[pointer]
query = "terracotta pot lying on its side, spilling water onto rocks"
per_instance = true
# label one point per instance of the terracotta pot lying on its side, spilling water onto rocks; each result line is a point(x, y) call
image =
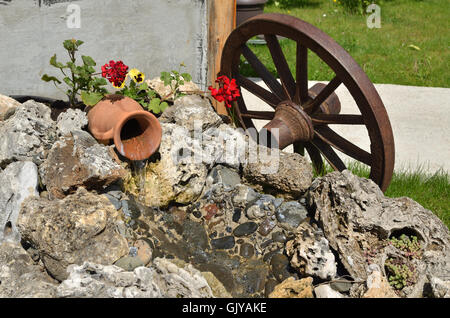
point(135, 132)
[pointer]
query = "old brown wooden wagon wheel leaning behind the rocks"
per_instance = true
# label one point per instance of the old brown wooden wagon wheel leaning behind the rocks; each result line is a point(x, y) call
point(303, 114)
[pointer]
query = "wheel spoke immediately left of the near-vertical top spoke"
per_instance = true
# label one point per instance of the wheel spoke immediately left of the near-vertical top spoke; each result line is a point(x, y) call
point(287, 80)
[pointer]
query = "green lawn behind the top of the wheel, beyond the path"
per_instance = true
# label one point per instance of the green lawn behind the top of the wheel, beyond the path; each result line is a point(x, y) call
point(385, 54)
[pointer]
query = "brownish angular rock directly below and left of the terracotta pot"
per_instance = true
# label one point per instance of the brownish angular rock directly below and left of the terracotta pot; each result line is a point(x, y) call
point(78, 160)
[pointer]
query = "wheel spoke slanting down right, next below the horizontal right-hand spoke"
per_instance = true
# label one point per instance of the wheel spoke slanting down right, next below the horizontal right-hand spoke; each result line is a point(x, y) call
point(332, 138)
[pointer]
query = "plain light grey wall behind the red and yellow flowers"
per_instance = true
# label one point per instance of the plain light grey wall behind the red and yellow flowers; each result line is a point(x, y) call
point(153, 36)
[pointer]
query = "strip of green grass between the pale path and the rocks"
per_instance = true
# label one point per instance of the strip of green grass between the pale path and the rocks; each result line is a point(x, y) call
point(432, 191)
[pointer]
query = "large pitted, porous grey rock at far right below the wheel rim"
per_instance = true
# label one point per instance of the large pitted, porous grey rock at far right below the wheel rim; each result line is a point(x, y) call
point(358, 221)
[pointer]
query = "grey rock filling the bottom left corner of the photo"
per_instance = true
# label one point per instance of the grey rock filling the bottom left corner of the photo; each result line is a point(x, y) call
point(20, 277)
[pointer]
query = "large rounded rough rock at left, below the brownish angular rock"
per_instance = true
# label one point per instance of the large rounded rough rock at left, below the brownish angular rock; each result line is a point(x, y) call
point(81, 227)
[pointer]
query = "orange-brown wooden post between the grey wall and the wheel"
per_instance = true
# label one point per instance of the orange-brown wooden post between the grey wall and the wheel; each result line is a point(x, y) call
point(222, 20)
